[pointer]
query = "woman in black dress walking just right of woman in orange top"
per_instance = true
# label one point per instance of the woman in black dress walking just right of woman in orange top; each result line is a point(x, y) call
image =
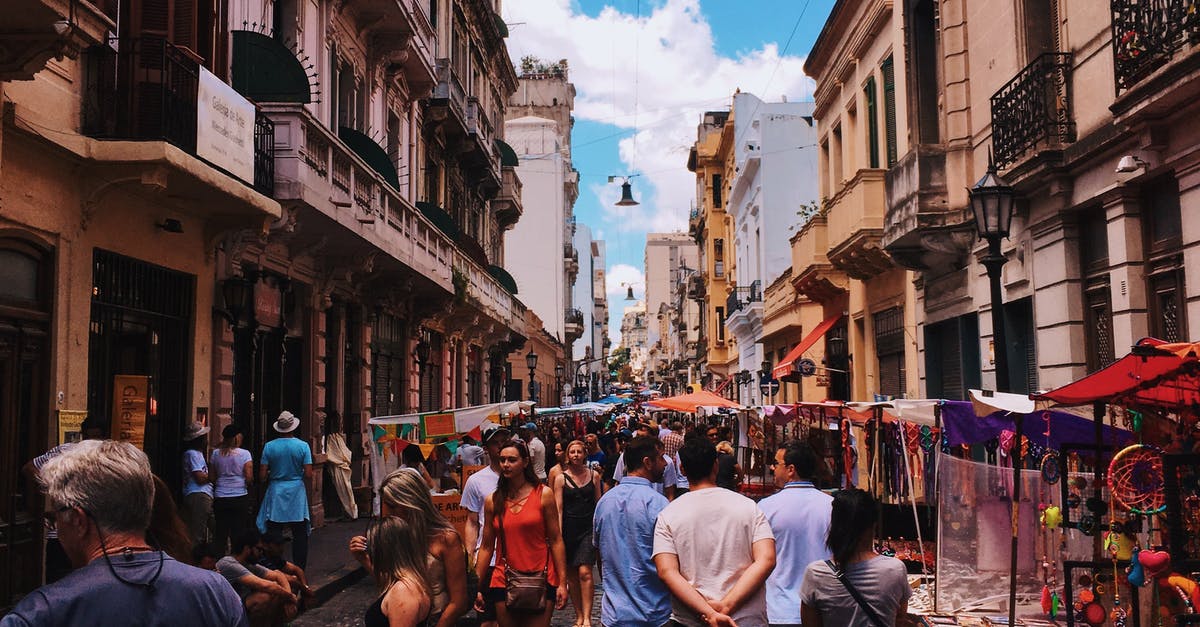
point(577, 492)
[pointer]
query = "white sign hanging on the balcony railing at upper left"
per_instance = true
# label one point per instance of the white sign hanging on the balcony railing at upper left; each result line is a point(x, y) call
point(225, 128)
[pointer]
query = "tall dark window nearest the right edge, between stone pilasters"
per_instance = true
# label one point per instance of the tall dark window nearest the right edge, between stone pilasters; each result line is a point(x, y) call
point(1165, 260)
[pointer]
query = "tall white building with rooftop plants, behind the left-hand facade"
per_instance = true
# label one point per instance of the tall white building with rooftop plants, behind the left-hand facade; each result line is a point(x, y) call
point(539, 129)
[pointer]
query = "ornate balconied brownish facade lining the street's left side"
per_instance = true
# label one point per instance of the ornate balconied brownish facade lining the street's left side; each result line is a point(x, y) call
point(203, 224)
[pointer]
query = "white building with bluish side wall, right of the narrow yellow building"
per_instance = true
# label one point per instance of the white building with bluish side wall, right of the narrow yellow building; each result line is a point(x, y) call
point(776, 175)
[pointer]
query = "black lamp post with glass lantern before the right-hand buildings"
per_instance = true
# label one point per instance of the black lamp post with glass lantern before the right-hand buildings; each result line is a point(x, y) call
point(992, 201)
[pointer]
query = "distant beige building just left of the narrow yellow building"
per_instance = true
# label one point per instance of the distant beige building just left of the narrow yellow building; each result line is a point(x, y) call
point(671, 259)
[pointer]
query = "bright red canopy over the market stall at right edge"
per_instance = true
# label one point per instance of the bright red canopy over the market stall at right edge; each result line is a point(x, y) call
point(1154, 374)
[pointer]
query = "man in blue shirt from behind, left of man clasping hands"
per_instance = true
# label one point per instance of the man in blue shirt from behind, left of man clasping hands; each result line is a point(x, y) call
point(634, 596)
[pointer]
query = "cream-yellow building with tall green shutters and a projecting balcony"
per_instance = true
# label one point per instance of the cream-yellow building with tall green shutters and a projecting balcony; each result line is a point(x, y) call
point(838, 260)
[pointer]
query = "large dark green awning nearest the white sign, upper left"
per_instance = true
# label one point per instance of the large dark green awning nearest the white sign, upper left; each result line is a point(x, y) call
point(265, 70)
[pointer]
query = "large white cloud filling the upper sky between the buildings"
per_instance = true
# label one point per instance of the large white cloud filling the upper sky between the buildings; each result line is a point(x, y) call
point(657, 74)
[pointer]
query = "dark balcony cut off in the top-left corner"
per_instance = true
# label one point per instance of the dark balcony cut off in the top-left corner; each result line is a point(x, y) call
point(35, 32)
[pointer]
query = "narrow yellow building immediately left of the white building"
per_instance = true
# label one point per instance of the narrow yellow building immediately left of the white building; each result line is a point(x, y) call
point(710, 159)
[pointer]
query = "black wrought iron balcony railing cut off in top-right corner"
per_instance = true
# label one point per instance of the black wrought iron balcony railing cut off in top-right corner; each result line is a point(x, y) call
point(1147, 34)
